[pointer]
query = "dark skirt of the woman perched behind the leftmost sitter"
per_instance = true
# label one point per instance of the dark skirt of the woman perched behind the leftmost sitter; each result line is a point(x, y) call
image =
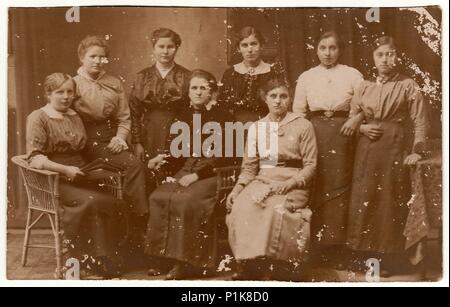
point(99, 136)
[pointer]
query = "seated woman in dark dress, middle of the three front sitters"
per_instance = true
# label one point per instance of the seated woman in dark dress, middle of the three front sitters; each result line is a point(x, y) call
point(180, 231)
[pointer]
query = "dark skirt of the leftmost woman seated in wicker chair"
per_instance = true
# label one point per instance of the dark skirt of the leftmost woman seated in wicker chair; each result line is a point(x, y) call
point(92, 221)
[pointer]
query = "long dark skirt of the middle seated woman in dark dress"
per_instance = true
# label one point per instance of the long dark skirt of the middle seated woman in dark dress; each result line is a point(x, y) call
point(181, 224)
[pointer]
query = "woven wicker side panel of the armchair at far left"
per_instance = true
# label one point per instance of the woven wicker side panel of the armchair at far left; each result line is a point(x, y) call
point(42, 186)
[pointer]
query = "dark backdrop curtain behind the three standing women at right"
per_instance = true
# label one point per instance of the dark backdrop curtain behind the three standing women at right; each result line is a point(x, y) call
point(292, 35)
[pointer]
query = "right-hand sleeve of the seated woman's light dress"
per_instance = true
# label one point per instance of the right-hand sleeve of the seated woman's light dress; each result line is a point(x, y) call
point(308, 151)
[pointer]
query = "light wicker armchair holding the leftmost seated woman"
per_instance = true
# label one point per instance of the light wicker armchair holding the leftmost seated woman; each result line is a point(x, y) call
point(42, 188)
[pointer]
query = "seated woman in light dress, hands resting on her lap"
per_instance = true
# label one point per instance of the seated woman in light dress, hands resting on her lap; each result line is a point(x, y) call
point(269, 216)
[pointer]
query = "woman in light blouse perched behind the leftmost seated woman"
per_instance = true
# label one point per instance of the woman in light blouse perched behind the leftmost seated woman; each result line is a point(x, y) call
point(103, 106)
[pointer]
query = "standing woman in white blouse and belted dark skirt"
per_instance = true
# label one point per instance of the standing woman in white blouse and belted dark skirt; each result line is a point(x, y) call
point(323, 94)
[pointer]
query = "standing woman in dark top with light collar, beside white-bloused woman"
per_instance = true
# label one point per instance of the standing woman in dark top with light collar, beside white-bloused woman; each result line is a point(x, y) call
point(238, 94)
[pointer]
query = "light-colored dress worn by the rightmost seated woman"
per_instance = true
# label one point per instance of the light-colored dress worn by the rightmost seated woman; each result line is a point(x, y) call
point(258, 224)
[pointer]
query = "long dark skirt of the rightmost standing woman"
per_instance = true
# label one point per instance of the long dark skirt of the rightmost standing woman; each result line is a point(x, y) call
point(380, 192)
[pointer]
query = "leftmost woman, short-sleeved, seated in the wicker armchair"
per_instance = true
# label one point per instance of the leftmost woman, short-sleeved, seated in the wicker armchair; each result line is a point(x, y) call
point(55, 137)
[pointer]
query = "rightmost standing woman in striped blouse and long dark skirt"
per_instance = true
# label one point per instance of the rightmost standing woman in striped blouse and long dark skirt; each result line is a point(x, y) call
point(381, 184)
